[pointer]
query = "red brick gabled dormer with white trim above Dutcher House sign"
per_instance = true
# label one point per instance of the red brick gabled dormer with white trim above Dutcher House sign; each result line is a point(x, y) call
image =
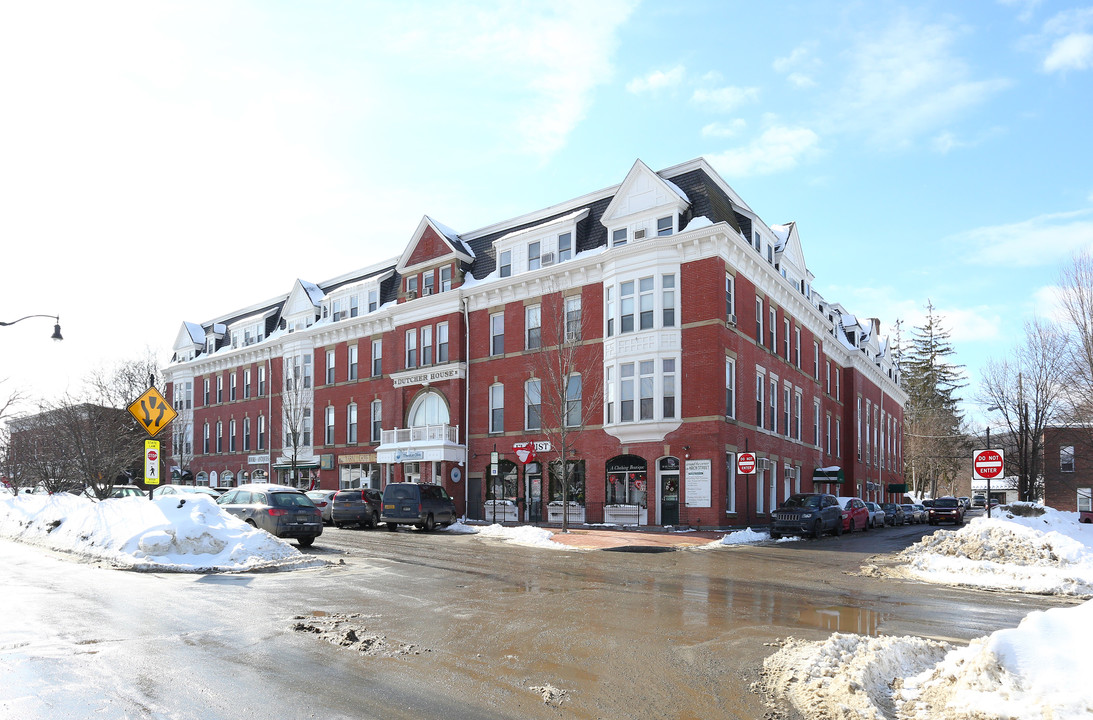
point(433, 261)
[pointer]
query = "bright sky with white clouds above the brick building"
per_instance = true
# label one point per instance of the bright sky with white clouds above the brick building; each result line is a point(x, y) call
point(173, 161)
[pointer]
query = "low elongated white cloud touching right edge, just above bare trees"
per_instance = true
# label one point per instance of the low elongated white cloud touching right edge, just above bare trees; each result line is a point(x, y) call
point(1041, 241)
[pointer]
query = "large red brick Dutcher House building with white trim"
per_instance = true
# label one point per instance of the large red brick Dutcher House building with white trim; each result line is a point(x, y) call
point(650, 332)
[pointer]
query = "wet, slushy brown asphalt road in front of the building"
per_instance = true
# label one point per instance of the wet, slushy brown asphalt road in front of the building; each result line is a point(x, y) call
point(460, 628)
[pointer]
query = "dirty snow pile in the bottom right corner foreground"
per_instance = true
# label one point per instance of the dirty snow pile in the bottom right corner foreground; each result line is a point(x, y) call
point(1038, 670)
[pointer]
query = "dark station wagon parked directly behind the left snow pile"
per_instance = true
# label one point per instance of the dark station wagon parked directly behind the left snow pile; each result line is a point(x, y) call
point(278, 510)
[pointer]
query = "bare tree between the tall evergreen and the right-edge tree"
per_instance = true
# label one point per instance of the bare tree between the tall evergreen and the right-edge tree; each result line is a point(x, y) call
point(1027, 394)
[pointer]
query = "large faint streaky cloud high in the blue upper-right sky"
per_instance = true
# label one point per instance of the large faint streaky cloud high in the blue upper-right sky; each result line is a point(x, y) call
point(907, 81)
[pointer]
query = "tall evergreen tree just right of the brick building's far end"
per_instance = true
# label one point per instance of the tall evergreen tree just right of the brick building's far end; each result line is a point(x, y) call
point(934, 442)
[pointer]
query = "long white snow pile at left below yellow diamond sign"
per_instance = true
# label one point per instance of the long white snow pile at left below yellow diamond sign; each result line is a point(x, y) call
point(164, 535)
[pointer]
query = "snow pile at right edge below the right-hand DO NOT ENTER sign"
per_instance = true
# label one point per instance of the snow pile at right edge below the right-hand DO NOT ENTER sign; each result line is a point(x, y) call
point(1025, 548)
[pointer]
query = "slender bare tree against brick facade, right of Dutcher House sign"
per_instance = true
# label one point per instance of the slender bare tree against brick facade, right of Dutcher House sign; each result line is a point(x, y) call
point(566, 387)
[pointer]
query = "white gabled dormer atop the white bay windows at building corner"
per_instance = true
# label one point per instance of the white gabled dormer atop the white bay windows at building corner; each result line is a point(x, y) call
point(645, 206)
